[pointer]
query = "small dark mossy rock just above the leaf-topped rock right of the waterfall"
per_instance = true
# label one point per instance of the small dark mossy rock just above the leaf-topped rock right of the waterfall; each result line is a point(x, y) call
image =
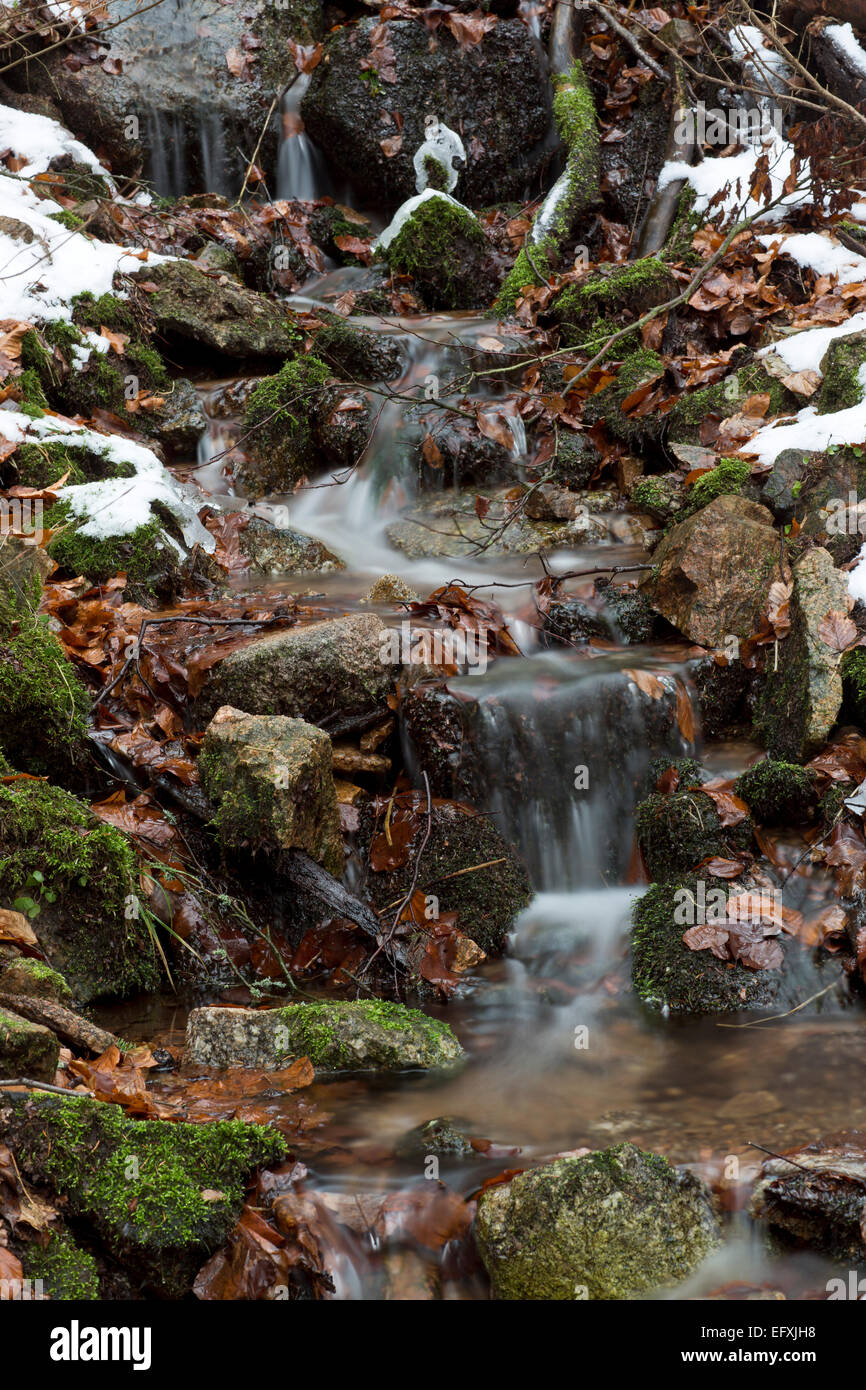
point(676, 833)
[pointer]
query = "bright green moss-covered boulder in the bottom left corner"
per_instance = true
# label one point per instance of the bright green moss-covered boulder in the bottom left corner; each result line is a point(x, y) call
point(161, 1197)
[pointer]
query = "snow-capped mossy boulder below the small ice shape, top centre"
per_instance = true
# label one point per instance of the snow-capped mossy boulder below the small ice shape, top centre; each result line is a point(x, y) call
point(443, 247)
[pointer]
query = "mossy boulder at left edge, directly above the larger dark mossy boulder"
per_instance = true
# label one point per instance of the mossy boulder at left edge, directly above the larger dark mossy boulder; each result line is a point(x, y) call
point(44, 707)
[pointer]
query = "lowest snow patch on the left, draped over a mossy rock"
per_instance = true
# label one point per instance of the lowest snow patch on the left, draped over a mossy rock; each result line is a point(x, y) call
point(115, 507)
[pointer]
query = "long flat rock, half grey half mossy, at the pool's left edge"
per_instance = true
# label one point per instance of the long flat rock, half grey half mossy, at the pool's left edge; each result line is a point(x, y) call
point(368, 1036)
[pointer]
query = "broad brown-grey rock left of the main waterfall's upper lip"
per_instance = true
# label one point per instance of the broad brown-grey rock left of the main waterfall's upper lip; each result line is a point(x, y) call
point(323, 673)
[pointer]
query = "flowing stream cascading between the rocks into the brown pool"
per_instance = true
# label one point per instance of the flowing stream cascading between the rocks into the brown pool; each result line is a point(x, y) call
point(561, 1053)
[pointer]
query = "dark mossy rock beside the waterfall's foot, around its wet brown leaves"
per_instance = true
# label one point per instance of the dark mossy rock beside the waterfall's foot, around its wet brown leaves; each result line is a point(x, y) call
point(669, 978)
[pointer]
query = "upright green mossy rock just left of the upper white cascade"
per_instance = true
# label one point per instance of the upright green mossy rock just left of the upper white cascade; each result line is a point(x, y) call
point(280, 426)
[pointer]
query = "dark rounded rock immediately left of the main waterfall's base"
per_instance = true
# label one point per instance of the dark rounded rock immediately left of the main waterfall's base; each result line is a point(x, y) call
point(487, 900)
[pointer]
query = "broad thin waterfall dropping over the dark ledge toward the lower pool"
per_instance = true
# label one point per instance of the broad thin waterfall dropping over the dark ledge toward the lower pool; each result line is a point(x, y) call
point(559, 747)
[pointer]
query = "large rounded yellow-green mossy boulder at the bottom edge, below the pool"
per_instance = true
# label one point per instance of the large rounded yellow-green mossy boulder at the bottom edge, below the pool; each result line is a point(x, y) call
point(615, 1224)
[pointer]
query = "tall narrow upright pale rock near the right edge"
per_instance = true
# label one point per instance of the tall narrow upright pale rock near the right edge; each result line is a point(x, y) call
point(801, 700)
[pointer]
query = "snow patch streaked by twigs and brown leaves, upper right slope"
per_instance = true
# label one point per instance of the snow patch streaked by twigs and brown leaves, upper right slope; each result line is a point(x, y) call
point(737, 174)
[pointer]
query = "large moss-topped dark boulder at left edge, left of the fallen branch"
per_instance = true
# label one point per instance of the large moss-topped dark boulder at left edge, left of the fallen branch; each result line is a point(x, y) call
point(80, 878)
